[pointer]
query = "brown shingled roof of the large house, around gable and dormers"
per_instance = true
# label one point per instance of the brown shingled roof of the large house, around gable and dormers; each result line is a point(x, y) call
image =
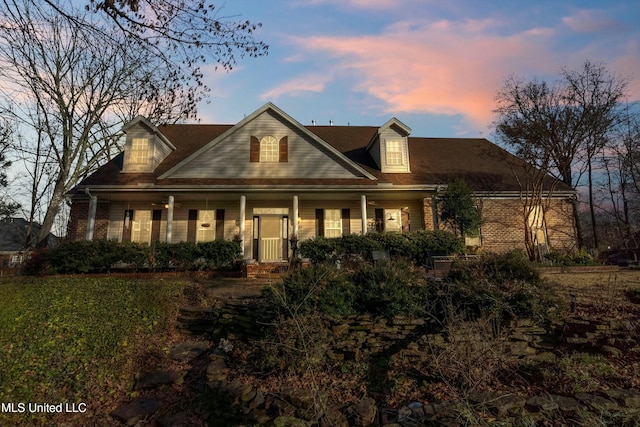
point(433, 161)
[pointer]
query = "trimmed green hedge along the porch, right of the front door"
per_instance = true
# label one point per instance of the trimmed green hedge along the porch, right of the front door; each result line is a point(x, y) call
point(417, 245)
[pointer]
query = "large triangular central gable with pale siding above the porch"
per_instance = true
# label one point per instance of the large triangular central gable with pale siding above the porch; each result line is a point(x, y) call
point(228, 155)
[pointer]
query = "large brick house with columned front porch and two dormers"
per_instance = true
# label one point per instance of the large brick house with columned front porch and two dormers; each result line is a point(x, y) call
point(269, 177)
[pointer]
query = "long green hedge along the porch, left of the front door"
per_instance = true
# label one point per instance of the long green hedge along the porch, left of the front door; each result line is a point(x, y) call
point(101, 255)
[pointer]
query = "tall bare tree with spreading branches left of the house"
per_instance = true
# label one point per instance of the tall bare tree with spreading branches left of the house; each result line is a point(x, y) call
point(70, 82)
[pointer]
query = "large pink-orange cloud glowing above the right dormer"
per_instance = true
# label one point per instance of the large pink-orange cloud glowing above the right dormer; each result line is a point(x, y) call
point(442, 67)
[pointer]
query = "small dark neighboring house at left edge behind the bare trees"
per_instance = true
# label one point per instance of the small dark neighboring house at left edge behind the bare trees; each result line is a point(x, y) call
point(14, 245)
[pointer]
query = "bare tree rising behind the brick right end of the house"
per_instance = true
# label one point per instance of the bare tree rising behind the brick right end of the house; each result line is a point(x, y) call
point(566, 122)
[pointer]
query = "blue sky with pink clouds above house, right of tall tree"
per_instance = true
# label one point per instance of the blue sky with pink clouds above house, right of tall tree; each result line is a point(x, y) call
point(434, 65)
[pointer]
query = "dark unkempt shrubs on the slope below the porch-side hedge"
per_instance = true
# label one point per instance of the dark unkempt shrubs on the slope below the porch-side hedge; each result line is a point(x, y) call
point(499, 286)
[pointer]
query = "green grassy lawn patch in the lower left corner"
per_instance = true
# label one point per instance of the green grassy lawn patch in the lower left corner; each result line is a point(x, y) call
point(75, 339)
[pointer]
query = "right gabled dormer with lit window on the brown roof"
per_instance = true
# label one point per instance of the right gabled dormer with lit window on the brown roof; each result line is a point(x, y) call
point(390, 147)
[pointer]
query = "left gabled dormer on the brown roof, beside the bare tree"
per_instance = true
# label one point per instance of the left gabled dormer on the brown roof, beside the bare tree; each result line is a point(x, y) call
point(145, 146)
